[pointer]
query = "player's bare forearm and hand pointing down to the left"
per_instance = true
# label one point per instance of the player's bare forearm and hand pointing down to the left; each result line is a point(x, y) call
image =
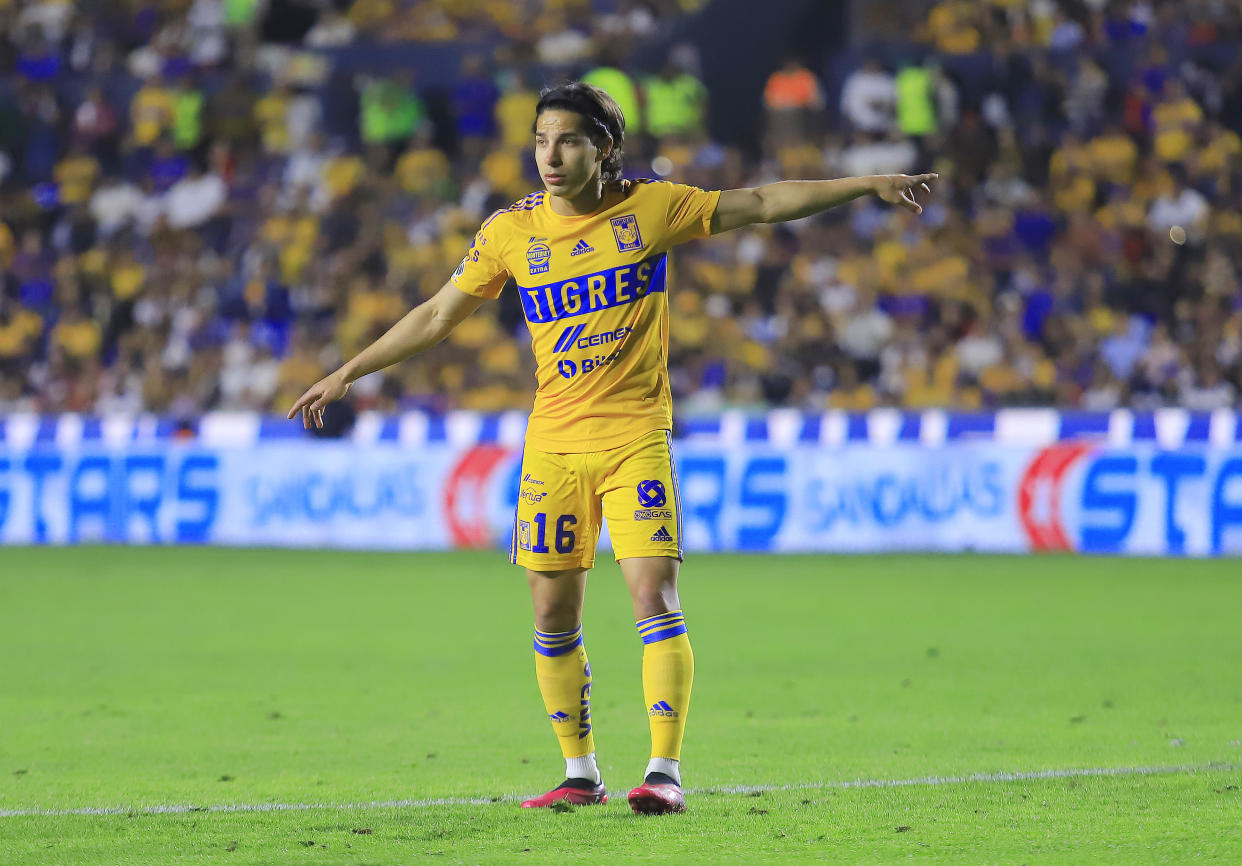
point(419, 330)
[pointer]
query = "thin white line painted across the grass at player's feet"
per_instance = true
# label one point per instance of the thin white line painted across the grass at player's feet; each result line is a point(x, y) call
point(925, 781)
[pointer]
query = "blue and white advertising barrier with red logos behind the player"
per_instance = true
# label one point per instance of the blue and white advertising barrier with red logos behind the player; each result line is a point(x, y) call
point(778, 484)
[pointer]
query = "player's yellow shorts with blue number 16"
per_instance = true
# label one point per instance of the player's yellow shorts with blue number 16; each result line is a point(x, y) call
point(564, 498)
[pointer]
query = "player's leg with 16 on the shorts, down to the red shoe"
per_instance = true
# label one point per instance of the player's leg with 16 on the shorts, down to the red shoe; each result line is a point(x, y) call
point(555, 539)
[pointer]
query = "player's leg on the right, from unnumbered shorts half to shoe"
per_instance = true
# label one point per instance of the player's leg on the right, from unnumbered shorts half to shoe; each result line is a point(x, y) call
point(643, 508)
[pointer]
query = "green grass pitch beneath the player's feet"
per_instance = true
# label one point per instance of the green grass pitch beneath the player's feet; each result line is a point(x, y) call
point(383, 700)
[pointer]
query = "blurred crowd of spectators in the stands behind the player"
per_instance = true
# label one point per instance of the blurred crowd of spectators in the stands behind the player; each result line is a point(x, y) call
point(202, 209)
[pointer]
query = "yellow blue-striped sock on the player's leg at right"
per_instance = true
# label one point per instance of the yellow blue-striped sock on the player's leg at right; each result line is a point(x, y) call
point(668, 679)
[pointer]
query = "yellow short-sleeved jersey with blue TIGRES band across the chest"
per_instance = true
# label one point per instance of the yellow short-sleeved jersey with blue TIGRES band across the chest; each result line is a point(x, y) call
point(594, 290)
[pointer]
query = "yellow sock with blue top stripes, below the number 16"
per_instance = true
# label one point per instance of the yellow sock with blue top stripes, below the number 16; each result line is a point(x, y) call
point(566, 684)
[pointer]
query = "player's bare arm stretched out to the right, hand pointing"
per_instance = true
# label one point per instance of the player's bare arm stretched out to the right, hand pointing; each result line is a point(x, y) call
point(796, 199)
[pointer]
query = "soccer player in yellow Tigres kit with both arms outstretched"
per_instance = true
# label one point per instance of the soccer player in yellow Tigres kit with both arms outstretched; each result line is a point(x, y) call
point(589, 255)
